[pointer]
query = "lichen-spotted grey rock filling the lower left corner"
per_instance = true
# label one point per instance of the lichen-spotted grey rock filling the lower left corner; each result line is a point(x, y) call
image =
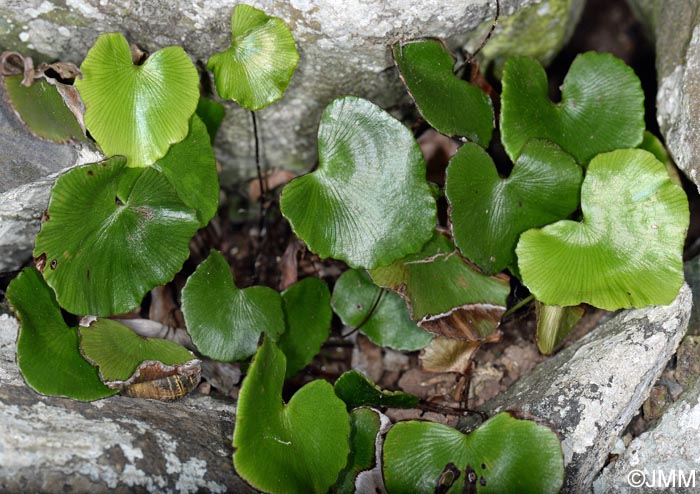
point(118, 444)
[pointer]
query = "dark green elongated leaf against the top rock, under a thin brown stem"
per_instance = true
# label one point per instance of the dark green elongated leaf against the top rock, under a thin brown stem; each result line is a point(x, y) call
point(449, 104)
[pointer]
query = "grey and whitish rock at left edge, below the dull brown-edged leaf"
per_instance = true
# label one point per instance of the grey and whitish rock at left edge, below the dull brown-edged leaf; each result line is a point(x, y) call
point(28, 168)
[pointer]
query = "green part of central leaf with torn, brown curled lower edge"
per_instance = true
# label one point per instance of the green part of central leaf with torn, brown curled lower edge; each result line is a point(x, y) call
point(436, 281)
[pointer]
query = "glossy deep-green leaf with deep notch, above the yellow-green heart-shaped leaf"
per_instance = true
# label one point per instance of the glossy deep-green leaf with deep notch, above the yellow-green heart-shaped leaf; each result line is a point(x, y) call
point(601, 109)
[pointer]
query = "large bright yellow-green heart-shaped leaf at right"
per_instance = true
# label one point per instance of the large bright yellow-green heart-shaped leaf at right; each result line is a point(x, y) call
point(627, 251)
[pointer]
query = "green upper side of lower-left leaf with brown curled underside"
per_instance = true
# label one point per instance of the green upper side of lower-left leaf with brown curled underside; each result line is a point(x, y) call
point(117, 351)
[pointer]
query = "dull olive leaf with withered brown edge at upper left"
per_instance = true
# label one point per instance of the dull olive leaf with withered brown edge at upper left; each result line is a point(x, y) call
point(41, 107)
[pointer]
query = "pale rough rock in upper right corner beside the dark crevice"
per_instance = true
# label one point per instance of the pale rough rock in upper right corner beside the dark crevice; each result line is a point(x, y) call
point(675, 27)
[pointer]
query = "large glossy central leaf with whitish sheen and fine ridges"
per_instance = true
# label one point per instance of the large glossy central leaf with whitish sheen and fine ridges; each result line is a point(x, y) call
point(368, 203)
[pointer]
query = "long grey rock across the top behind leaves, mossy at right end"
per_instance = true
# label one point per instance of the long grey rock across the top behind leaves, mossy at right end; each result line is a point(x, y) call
point(344, 48)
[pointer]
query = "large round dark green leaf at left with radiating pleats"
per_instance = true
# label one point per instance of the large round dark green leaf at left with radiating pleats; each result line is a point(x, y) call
point(113, 233)
